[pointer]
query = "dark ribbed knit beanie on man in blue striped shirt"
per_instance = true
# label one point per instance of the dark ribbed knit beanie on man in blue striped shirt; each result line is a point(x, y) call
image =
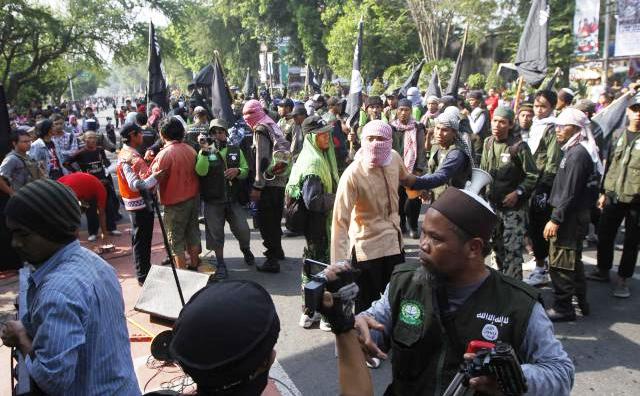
point(46, 207)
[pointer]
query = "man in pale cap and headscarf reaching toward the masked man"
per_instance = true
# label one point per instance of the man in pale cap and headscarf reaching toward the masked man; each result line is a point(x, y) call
point(450, 160)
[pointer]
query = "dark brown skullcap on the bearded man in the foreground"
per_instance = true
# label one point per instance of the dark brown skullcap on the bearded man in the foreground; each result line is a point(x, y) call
point(467, 211)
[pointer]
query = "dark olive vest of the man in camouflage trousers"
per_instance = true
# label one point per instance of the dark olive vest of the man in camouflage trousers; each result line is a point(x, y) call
point(505, 168)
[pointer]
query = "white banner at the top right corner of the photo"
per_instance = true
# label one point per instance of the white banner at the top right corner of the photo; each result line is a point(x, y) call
point(628, 28)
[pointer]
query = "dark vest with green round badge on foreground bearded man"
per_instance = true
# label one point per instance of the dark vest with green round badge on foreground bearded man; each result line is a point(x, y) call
point(428, 351)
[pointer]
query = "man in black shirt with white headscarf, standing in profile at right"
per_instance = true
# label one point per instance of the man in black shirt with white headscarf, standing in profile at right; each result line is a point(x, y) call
point(574, 192)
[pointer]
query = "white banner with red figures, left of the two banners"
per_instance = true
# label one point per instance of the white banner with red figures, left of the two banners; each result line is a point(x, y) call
point(585, 27)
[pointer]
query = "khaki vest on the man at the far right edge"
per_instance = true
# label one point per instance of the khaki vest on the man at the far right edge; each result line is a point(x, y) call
point(623, 175)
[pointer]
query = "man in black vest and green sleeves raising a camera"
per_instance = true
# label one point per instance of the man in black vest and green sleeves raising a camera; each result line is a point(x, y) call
point(220, 167)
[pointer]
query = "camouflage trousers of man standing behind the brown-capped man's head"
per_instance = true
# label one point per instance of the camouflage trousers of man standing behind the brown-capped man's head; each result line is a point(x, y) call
point(508, 241)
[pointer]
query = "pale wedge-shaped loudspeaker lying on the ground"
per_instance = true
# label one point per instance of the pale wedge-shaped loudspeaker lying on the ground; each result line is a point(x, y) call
point(159, 296)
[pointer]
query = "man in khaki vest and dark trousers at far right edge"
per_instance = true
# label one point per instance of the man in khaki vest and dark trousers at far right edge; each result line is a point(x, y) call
point(620, 199)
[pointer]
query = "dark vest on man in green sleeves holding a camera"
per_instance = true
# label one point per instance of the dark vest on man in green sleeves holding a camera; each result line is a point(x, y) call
point(214, 186)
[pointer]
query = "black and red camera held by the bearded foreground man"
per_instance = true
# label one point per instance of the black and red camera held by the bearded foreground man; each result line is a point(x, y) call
point(497, 360)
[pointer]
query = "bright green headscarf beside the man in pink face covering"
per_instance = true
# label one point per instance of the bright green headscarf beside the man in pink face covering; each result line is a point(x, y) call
point(313, 161)
